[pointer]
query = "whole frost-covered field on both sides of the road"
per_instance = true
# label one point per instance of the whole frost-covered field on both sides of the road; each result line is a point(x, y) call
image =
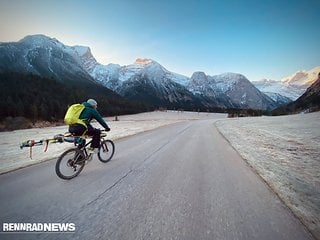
point(284, 151)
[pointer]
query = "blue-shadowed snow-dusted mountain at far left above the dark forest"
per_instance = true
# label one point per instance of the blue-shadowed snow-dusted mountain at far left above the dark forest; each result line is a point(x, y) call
point(43, 56)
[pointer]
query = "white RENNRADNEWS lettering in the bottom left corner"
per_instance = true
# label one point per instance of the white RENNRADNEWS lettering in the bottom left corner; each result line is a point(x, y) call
point(38, 227)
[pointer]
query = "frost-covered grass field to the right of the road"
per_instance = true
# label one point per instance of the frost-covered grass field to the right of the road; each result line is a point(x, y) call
point(285, 152)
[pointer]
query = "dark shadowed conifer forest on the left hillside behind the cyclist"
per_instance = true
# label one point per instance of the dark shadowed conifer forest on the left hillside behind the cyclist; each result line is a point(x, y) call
point(37, 98)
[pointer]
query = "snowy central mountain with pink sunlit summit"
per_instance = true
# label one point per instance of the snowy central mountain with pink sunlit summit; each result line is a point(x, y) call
point(148, 81)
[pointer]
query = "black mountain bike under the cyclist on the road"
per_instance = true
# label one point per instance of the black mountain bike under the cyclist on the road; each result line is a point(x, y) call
point(71, 162)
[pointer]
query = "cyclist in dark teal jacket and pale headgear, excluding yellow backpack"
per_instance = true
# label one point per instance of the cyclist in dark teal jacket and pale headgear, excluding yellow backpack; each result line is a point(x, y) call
point(90, 112)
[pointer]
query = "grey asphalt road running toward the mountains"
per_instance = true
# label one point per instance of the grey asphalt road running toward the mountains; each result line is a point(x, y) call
point(183, 181)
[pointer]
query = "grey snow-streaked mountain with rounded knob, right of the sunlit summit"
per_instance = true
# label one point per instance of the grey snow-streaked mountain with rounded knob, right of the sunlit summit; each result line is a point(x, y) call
point(231, 90)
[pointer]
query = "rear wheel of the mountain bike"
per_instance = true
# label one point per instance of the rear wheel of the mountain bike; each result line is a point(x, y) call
point(70, 163)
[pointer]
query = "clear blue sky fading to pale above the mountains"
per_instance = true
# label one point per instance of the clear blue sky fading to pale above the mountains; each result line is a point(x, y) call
point(257, 38)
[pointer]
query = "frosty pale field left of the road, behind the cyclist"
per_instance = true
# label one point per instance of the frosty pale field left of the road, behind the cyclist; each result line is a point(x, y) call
point(13, 158)
